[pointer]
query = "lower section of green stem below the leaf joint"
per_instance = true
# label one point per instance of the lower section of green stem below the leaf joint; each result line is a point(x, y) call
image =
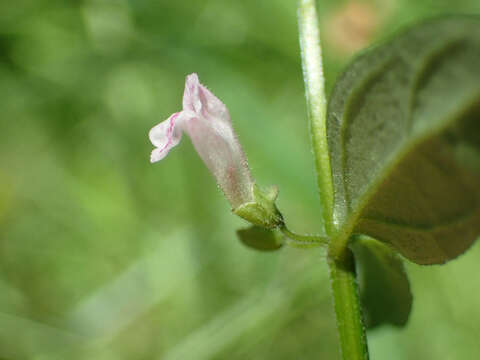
point(353, 342)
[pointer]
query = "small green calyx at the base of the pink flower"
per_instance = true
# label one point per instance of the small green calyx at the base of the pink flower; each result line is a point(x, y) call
point(262, 211)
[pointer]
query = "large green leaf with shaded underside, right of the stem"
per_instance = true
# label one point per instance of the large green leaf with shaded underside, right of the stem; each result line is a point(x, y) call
point(403, 130)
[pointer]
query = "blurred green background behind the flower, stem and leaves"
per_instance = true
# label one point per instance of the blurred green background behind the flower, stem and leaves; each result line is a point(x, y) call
point(105, 256)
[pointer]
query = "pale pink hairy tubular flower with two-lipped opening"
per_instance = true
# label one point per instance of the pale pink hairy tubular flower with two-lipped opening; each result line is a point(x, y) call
point(207, 122)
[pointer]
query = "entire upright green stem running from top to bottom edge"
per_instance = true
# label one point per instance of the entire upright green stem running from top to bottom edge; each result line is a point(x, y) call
point(351, 331)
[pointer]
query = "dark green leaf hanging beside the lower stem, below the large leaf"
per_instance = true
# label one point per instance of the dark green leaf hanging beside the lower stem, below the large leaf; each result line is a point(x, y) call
point(383, 284)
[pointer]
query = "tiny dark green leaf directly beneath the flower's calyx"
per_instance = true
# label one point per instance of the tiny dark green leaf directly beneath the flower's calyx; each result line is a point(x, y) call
point(259, 238)
